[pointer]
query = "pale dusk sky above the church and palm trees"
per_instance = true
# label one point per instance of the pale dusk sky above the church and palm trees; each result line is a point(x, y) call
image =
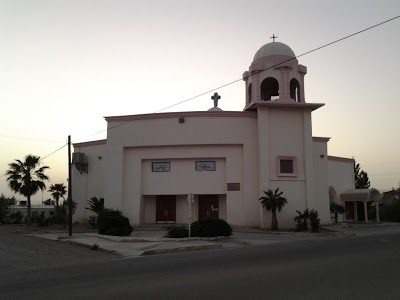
point(64, 65)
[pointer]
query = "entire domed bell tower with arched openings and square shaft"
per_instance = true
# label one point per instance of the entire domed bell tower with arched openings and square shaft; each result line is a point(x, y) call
point(275, 91)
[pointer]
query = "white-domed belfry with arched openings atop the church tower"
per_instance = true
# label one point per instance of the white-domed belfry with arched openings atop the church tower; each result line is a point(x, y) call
point(274, 74)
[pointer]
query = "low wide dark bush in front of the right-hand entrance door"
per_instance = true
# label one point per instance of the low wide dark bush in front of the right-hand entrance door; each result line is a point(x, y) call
point(210, 228)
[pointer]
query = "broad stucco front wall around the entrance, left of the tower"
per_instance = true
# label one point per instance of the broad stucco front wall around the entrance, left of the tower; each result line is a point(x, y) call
point(229, 139)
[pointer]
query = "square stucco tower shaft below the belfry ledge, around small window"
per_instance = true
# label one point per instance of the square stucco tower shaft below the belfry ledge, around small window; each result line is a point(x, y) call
point(284, 132)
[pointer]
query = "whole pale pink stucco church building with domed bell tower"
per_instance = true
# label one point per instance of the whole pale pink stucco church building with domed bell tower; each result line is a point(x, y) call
point(149, 163)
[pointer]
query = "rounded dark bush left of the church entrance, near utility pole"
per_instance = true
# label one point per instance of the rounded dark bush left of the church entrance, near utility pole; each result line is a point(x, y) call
point(112, 222)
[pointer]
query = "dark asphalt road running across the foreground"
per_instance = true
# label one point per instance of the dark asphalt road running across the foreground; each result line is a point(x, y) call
point(366, 267)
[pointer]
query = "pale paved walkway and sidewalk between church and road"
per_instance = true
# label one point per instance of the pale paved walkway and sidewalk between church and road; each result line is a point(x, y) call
point(151, 240)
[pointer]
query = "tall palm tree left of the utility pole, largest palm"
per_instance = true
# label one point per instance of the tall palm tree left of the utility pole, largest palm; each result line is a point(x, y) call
point(27, 178)
